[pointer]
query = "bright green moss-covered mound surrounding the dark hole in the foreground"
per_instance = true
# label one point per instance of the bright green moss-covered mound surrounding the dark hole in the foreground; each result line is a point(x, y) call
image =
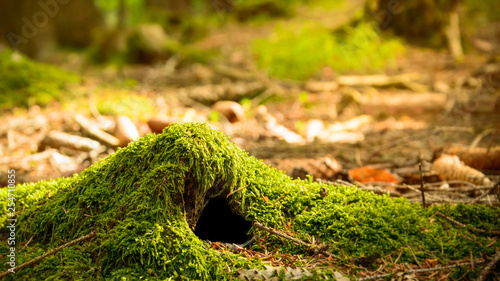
point(144, 201)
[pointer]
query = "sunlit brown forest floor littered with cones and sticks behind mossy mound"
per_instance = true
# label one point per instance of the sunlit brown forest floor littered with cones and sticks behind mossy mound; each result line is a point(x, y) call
point(369, 131)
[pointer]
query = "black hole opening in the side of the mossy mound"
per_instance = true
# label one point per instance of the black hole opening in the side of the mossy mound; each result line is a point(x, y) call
point(218, 223)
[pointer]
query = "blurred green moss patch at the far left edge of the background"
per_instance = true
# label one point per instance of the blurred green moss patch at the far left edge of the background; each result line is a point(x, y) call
point(25, 82)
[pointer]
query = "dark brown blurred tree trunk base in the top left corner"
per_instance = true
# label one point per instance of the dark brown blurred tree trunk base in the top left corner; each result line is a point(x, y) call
point(36, 27)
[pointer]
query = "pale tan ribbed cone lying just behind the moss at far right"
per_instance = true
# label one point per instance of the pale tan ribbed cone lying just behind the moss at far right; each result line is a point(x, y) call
point(449, 167)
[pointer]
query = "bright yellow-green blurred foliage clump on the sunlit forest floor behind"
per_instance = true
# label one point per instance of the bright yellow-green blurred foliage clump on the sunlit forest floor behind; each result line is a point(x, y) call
point(299, 53)
